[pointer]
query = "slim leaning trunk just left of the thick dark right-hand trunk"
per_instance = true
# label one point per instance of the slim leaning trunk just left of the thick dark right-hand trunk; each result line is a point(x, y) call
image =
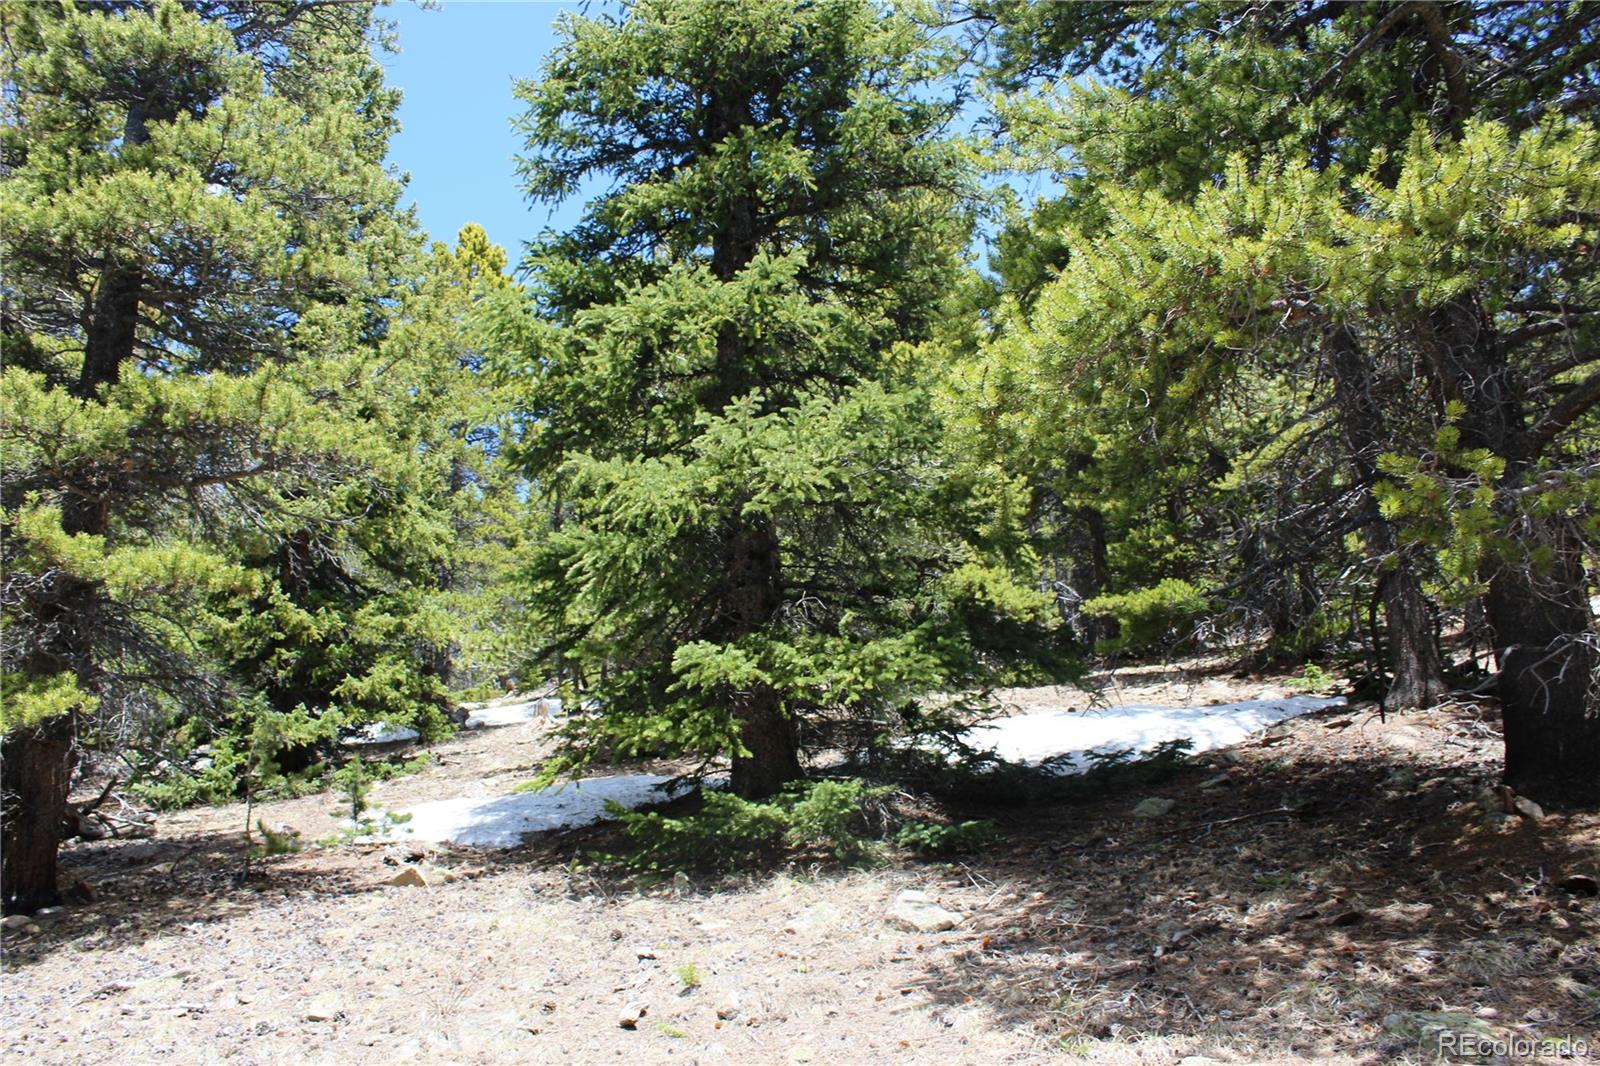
point(1418, 673)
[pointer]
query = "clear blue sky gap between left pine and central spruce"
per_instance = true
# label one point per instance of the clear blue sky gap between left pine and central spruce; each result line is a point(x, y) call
point(457, 66)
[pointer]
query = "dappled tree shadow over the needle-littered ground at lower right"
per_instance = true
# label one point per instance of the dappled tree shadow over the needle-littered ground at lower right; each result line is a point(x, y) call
point(1297, 902)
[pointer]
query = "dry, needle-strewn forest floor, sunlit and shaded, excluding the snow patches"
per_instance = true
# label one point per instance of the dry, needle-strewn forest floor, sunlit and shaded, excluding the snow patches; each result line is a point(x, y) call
point(1319, 892)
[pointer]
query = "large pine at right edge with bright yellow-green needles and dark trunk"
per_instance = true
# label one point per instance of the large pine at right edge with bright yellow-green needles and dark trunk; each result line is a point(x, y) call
point(1303, 113)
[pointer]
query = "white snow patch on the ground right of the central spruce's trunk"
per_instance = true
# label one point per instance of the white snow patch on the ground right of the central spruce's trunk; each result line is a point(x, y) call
point(1074, 737)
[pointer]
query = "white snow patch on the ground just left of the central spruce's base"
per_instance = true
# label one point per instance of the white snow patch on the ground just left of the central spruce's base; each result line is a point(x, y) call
point(502, 822)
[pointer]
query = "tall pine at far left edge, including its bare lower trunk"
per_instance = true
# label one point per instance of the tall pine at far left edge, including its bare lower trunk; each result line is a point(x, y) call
point(199, 246)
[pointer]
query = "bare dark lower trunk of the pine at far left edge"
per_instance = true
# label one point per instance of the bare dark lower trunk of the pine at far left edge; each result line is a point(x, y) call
point(36, 767)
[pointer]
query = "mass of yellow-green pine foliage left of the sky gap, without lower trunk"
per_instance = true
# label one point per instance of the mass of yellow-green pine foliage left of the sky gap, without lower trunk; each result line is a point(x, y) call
point(246, 465)
